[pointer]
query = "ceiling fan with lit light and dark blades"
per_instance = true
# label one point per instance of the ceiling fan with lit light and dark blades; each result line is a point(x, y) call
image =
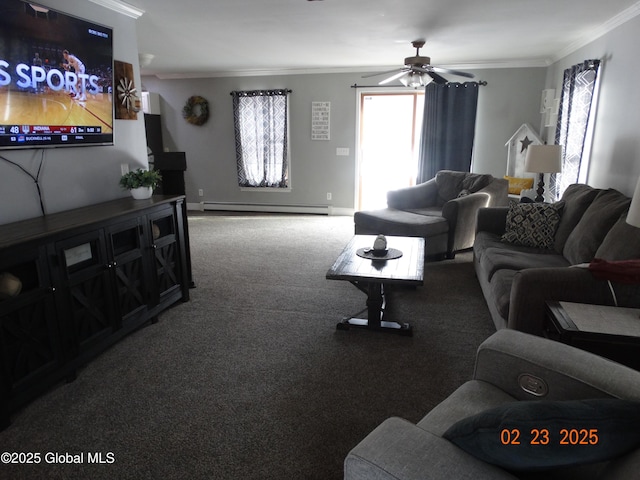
point(418, 71)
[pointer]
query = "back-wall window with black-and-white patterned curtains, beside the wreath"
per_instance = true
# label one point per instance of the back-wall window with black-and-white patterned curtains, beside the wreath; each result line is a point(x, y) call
point(261, 130)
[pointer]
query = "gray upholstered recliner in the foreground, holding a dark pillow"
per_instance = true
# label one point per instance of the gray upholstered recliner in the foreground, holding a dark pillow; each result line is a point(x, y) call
point(511, 367)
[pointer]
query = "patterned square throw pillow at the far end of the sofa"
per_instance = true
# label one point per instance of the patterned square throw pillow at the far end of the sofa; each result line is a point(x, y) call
point(533, 224)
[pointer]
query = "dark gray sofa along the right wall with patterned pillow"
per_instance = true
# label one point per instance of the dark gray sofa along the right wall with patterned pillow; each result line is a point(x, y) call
point(520, 263)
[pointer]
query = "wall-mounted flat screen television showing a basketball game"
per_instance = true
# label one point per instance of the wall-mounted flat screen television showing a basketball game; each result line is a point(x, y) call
point(56, 78)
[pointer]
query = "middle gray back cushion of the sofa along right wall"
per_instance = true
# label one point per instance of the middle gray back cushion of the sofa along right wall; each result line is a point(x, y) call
point(585, 239)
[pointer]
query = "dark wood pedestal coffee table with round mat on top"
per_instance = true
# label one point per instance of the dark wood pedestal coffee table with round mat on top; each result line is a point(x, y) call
point(372, 276)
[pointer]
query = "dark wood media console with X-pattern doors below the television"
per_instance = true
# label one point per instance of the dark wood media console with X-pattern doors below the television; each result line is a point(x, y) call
point(89, 276)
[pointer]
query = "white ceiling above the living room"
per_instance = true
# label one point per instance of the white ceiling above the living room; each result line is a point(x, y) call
point(252, 37)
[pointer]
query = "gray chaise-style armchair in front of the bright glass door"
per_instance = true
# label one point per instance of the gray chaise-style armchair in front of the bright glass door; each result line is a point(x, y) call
point(442, 210)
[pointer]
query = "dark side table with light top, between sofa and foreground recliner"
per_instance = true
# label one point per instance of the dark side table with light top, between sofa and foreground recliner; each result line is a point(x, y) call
point(611, 332)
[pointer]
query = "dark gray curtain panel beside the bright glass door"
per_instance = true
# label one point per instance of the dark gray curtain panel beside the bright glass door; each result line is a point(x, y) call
point(448, 128)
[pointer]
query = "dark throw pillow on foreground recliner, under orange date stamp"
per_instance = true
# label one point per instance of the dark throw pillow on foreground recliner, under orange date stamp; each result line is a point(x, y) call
point(543, 435)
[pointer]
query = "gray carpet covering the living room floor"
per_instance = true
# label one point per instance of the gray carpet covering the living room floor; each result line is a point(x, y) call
point(250, 379)
